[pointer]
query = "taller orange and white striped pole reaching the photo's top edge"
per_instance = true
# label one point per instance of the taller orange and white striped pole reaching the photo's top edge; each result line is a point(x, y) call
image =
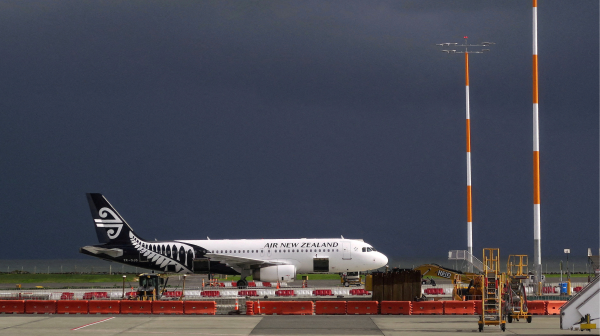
point(537, 235)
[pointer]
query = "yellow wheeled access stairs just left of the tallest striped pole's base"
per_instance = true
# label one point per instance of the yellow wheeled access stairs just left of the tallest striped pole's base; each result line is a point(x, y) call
point(515, 295)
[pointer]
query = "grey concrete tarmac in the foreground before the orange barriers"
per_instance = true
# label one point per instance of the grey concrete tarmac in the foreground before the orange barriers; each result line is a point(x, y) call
point(26, 325)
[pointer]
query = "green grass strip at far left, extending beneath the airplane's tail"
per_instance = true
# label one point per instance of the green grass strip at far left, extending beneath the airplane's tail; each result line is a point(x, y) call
point(62, 278)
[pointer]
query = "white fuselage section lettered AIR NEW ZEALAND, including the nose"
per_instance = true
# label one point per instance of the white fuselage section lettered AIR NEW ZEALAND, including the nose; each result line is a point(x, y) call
point(344, 255)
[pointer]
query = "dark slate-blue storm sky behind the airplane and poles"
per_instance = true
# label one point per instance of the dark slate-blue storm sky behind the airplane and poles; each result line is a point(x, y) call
point(288, 119)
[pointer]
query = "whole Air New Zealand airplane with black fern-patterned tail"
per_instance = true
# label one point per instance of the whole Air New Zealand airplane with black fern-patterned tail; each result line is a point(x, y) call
point(272, 260)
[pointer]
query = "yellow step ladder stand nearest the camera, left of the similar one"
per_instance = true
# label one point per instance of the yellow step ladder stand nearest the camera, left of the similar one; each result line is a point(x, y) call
point(492, 313)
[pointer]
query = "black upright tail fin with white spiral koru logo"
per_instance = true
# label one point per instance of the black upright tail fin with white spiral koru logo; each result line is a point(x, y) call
point(111, 228)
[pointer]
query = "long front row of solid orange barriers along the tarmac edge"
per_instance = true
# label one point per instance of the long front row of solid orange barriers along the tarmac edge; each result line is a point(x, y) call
point(261, 307)
